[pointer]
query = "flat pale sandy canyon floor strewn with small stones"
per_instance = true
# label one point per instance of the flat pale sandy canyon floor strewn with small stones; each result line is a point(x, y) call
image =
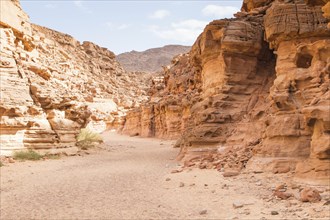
point(131, 179)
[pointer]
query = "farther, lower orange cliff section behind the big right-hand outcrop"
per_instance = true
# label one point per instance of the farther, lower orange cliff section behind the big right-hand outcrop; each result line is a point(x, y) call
point(166, 114)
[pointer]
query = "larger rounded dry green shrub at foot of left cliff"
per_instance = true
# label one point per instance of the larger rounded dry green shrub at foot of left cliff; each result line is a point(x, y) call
point(86, 138)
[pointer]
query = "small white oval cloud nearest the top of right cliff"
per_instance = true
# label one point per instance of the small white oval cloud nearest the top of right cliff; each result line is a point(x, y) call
point(219, 11)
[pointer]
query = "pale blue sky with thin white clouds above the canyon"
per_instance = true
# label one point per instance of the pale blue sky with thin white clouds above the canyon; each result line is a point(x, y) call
point(123, 26)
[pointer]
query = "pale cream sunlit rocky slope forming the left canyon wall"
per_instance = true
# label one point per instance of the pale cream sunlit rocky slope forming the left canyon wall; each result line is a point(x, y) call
point(51, 86)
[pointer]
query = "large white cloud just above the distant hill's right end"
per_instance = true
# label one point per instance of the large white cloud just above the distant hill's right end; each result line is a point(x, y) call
point(184, 31)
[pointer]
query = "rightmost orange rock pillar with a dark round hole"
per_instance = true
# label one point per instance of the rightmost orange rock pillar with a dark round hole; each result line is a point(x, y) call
point(300, 94)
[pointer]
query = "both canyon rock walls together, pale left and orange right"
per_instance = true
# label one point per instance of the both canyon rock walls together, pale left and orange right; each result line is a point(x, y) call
point(252, 94)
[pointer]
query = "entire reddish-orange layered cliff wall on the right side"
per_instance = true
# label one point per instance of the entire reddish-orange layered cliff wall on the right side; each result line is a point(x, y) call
point(252, 93)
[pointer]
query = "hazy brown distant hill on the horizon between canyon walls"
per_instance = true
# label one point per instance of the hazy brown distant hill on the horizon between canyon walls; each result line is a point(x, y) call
point(150, 60)
